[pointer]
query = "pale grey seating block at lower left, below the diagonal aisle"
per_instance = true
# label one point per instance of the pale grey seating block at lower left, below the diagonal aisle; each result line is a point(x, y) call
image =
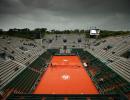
point(8, 71)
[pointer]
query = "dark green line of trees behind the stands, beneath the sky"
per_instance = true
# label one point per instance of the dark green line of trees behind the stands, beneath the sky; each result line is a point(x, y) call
point(40, 32)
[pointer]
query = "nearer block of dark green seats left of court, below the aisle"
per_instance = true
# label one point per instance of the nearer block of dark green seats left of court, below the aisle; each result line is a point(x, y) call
point(24, 82)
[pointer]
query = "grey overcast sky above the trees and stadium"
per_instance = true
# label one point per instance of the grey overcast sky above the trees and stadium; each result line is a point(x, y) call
point(65, 14)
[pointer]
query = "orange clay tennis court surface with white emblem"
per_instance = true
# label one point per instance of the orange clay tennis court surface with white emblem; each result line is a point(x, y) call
point(65, 75)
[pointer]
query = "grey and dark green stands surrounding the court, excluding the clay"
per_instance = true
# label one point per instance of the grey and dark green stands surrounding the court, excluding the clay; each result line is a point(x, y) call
point(21, 74)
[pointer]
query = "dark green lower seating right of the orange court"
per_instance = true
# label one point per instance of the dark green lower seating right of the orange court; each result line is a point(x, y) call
point(105, 79)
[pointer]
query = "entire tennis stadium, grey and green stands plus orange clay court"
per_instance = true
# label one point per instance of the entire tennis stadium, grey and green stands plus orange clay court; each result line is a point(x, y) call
point(65, 67)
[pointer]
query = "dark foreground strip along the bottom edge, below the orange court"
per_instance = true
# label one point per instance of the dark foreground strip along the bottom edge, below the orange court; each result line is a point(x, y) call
point(68, 97)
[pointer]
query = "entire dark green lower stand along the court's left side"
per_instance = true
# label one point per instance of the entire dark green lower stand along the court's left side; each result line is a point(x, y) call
point(26, 81)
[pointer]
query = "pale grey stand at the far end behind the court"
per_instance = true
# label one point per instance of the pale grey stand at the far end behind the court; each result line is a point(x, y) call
point(57, 40)
